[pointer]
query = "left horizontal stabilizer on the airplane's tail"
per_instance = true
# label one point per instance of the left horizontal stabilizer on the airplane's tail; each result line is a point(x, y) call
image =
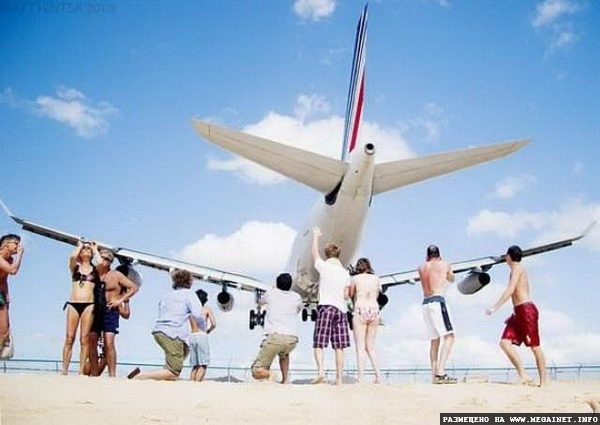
point(319, 172)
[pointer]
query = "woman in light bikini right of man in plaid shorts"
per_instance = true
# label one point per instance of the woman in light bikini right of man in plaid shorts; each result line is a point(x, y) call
point(364, 290)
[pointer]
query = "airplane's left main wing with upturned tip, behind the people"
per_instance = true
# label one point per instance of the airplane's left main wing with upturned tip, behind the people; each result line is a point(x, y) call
point(133, 257)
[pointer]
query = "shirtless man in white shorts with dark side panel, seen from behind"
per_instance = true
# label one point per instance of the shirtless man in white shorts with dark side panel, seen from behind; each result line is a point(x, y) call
point(434, 273)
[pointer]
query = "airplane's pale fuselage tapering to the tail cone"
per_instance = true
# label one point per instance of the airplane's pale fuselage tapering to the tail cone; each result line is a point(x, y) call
point(341, 216)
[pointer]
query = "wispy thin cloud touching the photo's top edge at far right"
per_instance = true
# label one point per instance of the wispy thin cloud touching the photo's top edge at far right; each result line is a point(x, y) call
point(556, 18)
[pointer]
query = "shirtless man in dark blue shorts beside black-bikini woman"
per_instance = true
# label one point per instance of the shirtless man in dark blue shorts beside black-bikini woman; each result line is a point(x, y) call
point(118, 289)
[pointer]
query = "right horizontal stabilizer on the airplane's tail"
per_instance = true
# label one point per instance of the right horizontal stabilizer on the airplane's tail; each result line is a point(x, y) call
point(391, 175)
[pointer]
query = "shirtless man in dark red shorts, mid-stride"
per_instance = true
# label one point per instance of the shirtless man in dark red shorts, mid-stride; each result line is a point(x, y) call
point(522, 326)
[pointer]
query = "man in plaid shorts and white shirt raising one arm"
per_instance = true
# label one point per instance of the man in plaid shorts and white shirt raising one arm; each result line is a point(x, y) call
point(332, 323)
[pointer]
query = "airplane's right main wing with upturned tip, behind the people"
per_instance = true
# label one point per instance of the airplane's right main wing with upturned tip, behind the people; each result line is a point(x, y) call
point(478, 265)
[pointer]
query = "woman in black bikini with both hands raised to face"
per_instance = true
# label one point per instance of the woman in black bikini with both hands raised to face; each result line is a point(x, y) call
point(80, 307)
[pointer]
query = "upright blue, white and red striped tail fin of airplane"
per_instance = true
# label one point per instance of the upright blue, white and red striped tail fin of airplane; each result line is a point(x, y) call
point(357, 86)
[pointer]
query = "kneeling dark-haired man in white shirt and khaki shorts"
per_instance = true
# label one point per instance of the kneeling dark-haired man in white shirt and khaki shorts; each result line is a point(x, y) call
point(281, 329)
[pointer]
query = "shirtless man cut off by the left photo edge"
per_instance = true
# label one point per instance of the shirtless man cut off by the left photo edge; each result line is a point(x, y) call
point(11, 255)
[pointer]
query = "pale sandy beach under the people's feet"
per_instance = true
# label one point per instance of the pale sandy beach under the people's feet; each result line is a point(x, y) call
point(53, 399)
